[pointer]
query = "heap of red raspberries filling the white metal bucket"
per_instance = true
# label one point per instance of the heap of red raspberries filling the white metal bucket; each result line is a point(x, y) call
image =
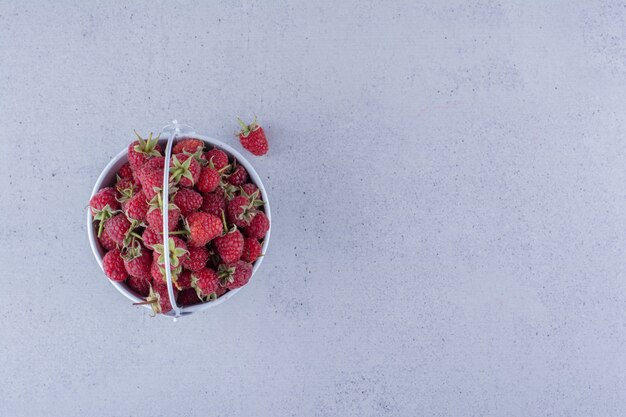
point(216, 223)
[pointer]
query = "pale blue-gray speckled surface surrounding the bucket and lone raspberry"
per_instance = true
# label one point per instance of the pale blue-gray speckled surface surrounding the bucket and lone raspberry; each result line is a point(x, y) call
point(448, 190)
